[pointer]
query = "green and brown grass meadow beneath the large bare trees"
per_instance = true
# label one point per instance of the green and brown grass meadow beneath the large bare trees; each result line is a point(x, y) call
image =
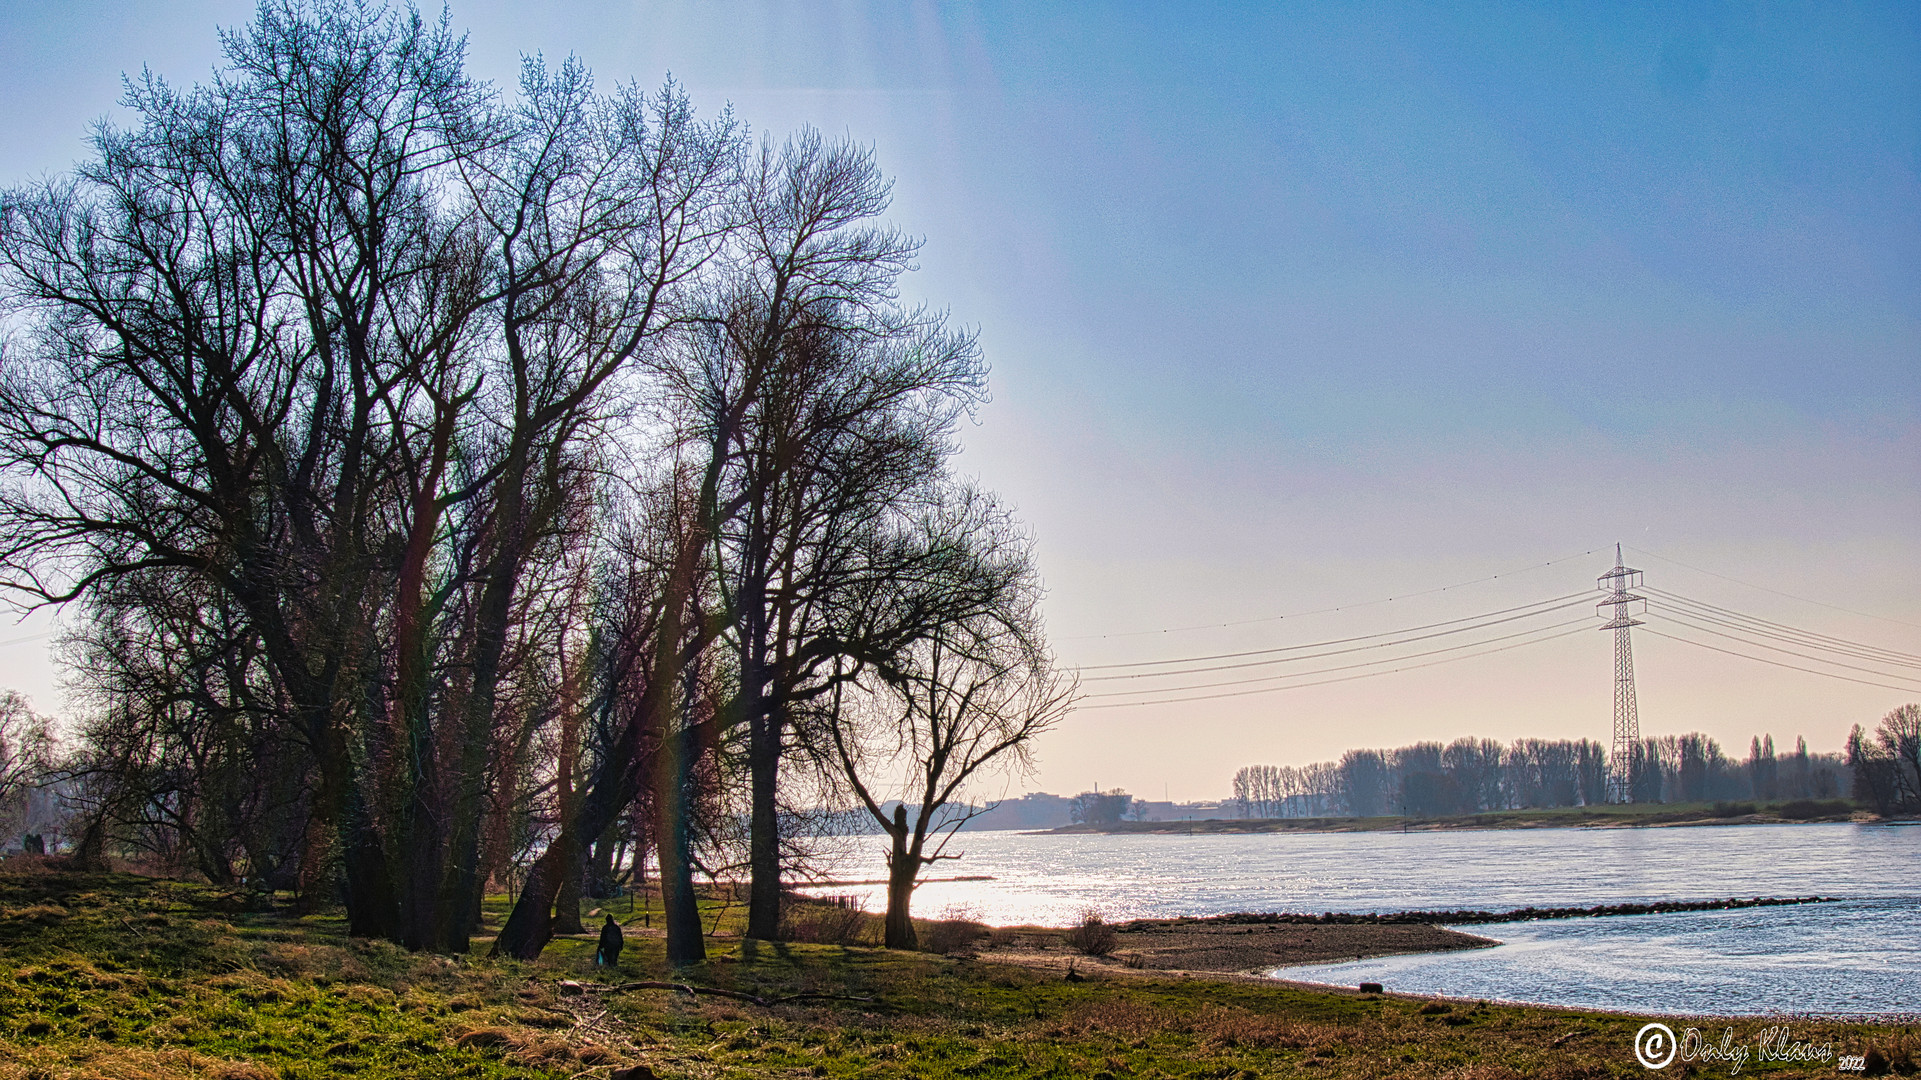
point(118, 977)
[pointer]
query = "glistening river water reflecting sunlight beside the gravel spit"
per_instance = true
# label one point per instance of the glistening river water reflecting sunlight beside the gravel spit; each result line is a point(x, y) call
point(1853, 958)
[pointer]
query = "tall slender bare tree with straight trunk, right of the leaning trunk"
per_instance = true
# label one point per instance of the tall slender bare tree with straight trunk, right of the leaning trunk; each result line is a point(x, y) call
point(846, 405)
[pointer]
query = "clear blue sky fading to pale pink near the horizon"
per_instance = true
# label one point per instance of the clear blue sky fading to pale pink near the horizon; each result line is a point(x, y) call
point(1309, 307)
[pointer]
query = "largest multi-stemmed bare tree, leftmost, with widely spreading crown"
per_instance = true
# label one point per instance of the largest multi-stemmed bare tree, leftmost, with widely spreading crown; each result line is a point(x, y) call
point(329, 335)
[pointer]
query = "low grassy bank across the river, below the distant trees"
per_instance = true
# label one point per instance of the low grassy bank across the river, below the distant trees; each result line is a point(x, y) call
point(1801, 812)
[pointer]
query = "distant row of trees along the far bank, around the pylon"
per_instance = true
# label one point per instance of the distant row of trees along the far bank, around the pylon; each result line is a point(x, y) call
point(1471, 775)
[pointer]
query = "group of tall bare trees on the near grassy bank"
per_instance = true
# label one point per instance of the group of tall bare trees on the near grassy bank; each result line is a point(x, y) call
point(449, 478)
